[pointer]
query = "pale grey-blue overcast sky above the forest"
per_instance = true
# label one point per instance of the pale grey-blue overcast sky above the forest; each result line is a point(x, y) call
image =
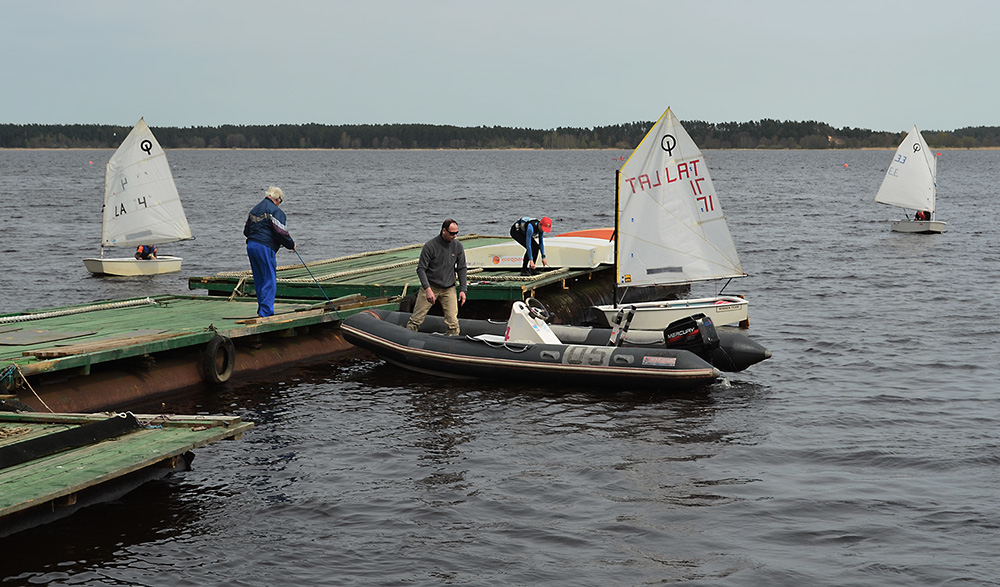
point(543, 64)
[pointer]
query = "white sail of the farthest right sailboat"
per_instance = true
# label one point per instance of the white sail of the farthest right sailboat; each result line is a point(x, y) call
point(911, 180)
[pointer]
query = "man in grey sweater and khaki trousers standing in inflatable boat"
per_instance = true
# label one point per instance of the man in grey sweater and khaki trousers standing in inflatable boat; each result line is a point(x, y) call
point(440, 260)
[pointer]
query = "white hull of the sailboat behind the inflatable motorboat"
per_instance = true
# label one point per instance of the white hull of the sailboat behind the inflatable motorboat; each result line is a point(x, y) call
point(658, 315)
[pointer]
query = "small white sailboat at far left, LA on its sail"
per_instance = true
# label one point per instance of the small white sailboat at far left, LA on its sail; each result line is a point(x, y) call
point(141, 207)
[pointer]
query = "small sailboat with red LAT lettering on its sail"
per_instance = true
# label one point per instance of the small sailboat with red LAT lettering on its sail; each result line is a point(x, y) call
point(671, 230)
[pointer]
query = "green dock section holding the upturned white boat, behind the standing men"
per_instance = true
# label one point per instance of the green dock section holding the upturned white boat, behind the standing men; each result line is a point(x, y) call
point(392, 273)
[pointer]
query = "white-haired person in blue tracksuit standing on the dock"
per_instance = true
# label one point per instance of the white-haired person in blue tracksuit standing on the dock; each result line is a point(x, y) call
point(266, 233)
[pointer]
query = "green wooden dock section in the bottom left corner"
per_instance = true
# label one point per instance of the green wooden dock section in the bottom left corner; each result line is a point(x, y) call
point(51, 465)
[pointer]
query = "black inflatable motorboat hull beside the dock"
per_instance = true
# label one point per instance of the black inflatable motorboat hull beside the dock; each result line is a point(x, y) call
point(584, 357)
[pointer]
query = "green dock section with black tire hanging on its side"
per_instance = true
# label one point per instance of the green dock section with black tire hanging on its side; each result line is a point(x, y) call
point(113, 354)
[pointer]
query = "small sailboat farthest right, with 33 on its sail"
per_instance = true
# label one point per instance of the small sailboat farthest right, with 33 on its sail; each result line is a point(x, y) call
point(911, 183)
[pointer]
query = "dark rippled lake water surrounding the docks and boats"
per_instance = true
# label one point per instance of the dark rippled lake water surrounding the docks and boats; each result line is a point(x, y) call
point(864, 453)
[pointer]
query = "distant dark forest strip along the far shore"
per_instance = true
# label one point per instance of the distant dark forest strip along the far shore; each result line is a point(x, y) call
point(762, 134)
